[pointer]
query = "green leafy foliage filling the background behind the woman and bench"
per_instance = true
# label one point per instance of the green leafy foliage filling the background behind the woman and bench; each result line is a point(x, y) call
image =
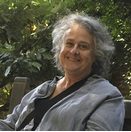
point(25, 37)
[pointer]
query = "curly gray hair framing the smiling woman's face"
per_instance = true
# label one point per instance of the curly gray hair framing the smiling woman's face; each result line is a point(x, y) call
point(104, 46)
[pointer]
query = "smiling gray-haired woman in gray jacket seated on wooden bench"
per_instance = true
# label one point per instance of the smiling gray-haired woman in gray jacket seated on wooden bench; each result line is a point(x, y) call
point(82, 99)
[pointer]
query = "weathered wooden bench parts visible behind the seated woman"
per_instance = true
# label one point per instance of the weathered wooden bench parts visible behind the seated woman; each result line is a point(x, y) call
point(22, 86)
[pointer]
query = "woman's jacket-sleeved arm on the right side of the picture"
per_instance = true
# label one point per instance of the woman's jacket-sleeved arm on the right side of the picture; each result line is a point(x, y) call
point(109, 116)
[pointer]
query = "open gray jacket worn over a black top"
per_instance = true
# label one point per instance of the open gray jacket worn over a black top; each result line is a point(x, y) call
point(97, 105)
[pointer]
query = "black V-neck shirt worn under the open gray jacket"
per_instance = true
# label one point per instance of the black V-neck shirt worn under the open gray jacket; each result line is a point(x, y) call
point(42, 105)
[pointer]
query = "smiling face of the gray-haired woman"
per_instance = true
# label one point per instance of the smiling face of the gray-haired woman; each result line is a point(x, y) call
point(77, 52)
